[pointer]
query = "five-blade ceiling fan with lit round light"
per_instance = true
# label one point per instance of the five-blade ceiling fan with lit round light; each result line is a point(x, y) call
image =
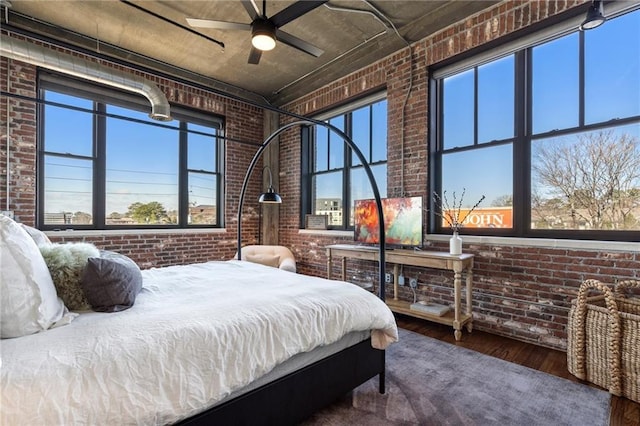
point(265, 31)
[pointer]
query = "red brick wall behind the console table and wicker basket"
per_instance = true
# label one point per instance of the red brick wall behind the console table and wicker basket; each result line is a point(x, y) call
point(524, 291)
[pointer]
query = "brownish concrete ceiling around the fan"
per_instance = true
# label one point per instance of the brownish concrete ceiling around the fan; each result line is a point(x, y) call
point(156, 35)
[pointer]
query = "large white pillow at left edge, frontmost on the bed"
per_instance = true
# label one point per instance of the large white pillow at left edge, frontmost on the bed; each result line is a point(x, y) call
point(29, 302)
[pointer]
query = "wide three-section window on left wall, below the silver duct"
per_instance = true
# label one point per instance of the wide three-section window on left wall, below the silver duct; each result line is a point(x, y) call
point(103, 163)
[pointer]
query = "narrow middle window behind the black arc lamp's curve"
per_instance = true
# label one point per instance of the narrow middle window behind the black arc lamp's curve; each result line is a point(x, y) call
point(333, 175)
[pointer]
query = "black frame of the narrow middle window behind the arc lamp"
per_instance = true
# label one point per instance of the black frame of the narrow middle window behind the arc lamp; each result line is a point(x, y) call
point(307, 199)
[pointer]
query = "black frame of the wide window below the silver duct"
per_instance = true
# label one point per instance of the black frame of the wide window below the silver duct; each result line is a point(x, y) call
point(101, 97)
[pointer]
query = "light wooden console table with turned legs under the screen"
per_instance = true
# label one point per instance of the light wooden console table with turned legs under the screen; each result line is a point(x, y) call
point(459, 264)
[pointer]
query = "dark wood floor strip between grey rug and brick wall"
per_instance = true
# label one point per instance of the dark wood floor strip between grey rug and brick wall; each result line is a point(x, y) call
point(623, 411)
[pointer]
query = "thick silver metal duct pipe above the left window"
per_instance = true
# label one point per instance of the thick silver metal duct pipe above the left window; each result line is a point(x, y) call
point(62, 62)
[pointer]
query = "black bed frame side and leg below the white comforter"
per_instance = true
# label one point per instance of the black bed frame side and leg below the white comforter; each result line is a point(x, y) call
point(296, 396)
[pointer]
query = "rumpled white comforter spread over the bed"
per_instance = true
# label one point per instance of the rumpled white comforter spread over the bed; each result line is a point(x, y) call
point(196, 333)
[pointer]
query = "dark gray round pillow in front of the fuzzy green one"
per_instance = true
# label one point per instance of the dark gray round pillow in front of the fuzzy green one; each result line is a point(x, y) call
point(111, 282)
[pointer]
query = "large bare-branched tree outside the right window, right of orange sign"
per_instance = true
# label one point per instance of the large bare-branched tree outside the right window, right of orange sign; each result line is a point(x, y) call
point(596, 175)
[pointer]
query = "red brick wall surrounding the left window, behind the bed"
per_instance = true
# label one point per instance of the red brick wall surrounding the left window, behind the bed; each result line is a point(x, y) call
point(18, 153)
